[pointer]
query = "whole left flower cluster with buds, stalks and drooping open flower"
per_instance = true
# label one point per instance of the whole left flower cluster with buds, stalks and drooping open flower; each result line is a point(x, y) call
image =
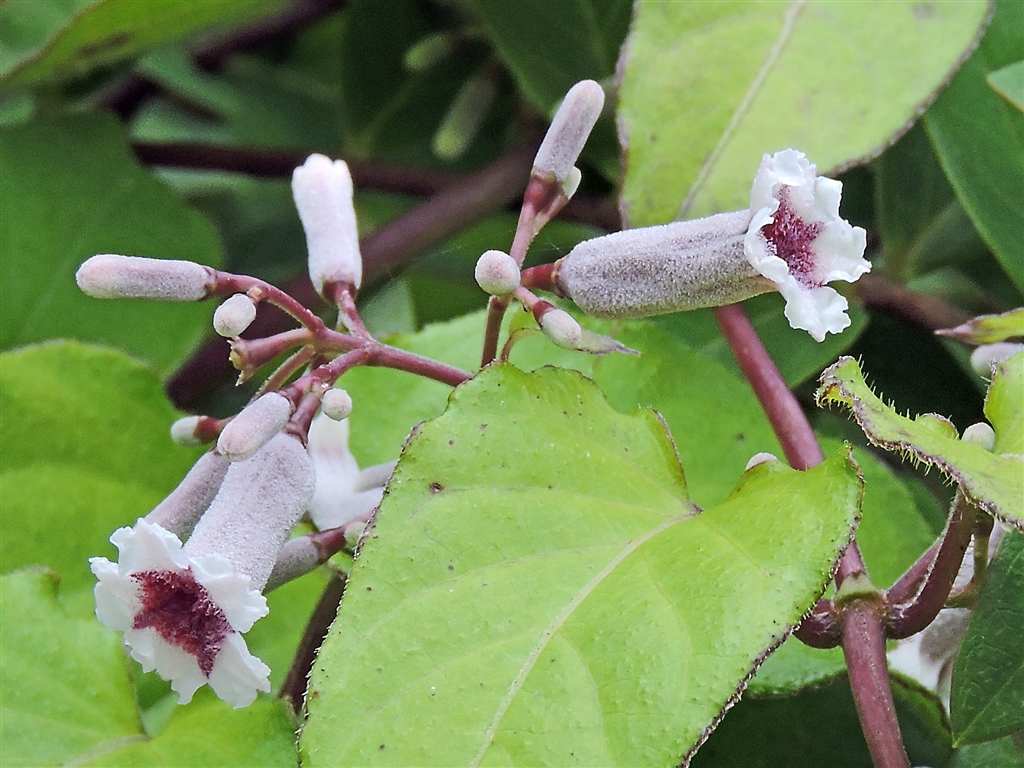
point(190, 578)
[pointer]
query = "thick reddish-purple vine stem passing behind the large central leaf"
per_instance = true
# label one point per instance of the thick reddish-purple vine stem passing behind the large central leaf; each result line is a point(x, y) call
point(862, 619)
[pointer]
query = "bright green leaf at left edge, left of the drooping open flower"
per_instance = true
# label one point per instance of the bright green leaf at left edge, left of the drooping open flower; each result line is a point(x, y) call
point(83, 444)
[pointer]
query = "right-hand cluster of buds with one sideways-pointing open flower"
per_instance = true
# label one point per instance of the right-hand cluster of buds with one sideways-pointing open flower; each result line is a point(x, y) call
point(792, 240)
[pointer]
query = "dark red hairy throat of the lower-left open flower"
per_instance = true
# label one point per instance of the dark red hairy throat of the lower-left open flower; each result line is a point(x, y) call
point(185, 615)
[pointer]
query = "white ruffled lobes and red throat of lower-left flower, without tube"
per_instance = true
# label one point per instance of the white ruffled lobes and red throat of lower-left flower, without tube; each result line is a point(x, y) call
point(182, 617)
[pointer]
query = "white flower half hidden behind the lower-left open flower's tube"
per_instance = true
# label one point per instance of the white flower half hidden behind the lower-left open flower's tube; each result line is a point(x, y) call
point(344, 494)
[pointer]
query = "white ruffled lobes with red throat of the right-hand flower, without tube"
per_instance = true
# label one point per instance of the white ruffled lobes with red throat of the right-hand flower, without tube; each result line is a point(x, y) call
point(798, 241)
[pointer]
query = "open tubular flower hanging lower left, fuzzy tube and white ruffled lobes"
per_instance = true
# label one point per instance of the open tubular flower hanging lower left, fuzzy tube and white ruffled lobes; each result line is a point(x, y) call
point(184, 609)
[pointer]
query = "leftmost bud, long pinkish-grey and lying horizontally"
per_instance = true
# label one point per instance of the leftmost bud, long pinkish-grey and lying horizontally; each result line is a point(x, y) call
point(112, 277)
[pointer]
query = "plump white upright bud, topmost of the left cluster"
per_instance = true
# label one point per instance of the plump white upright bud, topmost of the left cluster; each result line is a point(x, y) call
point(323, 192)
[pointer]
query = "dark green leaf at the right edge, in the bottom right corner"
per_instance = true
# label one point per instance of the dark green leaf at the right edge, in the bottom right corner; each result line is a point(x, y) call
point(989, 673)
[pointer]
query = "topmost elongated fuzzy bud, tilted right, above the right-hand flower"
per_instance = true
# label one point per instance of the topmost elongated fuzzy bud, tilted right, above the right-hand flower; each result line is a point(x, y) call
point(570, 131)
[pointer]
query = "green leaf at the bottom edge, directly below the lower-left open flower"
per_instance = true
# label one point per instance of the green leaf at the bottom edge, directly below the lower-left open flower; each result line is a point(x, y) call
point(209, 734)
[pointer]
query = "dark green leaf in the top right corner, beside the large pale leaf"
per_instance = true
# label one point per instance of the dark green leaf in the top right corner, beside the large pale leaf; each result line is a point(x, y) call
point(980, 141)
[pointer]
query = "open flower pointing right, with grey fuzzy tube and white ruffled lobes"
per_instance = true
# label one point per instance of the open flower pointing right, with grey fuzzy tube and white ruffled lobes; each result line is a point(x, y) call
point(791, 240)
